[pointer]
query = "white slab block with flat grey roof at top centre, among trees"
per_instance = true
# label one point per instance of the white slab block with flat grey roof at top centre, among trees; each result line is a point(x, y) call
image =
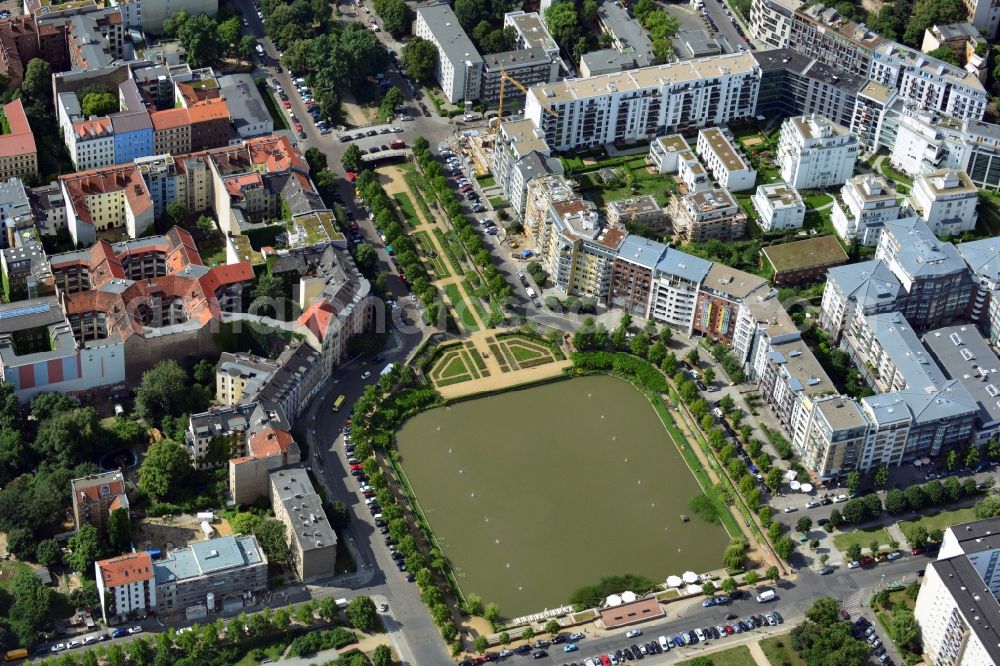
point(459, 67)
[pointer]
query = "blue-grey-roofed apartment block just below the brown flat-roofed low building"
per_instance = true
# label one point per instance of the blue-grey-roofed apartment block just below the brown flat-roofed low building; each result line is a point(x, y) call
point(857, 290)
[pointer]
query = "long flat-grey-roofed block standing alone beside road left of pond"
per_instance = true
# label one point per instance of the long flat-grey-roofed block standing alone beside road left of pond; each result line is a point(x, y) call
point(312, 542)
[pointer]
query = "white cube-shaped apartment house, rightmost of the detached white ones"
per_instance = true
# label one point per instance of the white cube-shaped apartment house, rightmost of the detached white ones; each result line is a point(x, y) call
point(946, 201)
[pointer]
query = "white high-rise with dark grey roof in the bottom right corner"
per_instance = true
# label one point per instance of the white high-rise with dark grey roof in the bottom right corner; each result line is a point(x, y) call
point(957, 607)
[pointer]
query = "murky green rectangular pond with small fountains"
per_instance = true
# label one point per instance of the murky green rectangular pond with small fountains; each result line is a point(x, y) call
point(537, 492)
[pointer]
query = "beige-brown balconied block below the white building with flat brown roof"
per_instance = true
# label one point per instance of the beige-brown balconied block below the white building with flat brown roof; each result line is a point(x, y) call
point(714, 214)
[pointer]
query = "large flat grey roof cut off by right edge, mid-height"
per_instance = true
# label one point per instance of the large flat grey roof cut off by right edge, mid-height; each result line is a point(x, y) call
point(964, 355)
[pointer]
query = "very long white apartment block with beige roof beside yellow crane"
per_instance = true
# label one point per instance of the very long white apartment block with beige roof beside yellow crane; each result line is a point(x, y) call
point(640, 104)
